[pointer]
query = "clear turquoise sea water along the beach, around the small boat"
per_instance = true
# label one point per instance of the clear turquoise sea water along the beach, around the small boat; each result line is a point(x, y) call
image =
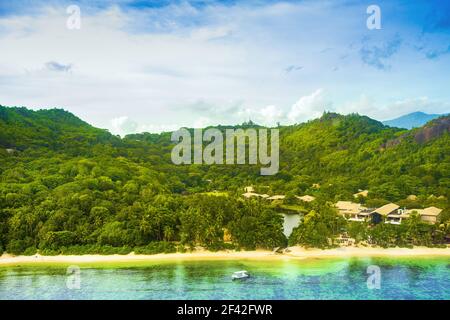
point(307, 279)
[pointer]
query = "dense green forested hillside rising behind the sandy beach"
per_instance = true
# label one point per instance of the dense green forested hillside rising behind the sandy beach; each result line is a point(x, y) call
point(67, 187)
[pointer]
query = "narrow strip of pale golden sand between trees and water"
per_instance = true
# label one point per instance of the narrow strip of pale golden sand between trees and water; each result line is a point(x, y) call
point(296, 253)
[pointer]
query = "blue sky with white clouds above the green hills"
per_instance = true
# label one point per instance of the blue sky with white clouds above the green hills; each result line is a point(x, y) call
point(135, 66)
